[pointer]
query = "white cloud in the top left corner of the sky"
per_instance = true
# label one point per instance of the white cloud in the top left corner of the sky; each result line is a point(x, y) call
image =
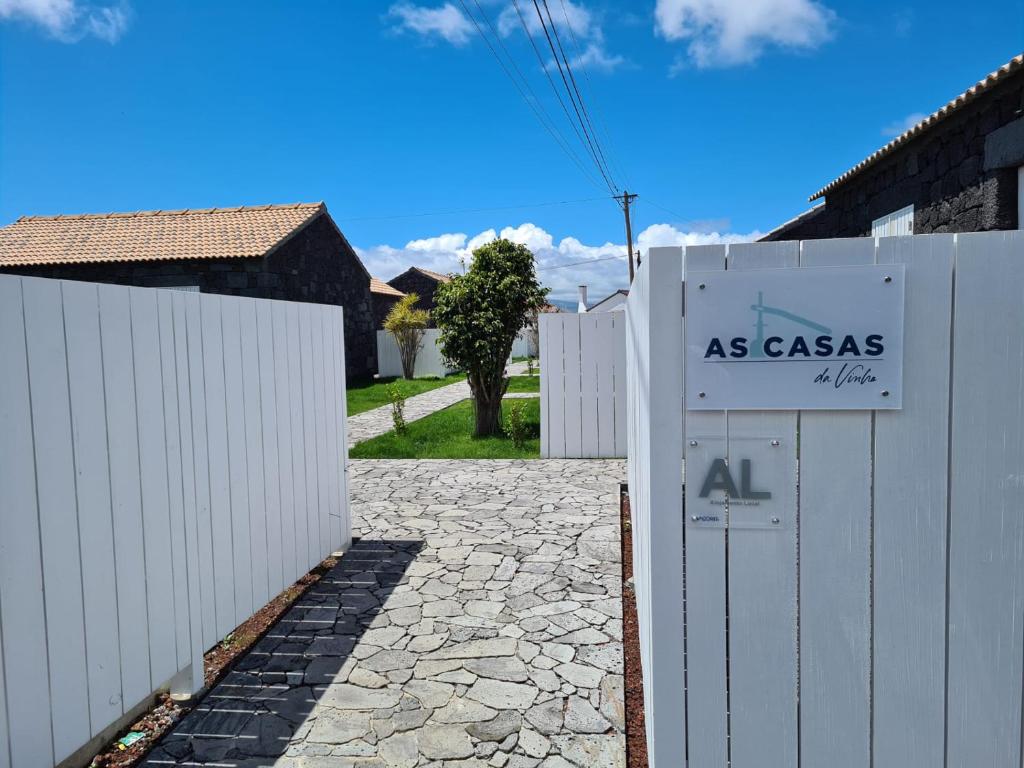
point(70, 21)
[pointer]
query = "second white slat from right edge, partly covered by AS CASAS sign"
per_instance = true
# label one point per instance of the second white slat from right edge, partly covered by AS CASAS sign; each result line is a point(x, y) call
point(911, 462)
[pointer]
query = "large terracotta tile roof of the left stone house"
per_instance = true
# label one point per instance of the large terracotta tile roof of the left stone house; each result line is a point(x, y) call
point(152, 236)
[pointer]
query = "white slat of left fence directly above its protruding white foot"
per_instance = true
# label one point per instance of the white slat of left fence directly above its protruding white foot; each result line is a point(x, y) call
point(190, 520)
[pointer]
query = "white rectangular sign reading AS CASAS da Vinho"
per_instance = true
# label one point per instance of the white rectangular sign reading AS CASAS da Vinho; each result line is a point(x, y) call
point(795, 339)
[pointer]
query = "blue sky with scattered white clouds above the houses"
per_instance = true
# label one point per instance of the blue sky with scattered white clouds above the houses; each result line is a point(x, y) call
point(723, 115)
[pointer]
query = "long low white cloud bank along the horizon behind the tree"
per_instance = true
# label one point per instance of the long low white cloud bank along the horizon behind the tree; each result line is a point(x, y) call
point(603, 270)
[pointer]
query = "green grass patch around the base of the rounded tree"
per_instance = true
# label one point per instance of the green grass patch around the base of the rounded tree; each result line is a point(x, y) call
point(449, 435)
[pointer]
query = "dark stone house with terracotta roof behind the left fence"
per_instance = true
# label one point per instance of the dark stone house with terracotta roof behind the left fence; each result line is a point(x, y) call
point(291, 252)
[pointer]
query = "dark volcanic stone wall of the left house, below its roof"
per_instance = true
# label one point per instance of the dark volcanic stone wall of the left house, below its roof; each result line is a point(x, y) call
point(315, 266)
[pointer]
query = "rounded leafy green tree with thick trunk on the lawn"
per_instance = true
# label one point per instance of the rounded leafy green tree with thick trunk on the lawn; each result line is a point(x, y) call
point(480, 315)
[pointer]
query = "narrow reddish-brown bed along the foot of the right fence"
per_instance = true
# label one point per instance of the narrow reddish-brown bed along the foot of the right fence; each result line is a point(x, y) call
point(636, 737)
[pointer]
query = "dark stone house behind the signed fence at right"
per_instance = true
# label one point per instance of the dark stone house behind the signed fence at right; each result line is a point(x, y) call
point(959, 170)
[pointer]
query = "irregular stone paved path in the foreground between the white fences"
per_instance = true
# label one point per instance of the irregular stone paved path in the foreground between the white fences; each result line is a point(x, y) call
point(478, 622)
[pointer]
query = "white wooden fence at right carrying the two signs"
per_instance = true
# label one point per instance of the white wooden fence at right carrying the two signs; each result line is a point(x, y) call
point(882, 623)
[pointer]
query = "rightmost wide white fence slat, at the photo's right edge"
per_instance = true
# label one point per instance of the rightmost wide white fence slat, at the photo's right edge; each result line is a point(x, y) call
point(987, 547)
